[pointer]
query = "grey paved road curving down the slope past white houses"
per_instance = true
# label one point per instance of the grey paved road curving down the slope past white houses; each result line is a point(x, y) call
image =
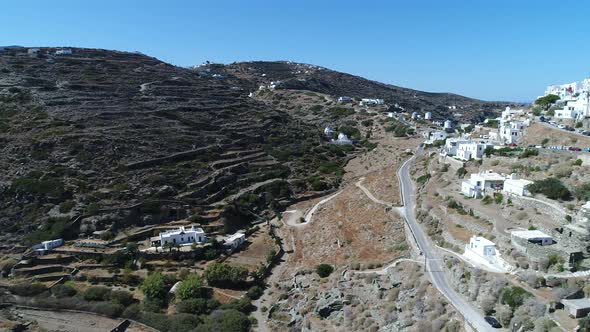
point(433, 265)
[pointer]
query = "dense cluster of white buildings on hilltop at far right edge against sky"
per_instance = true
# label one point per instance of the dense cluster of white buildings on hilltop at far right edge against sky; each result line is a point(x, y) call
point(574, 99)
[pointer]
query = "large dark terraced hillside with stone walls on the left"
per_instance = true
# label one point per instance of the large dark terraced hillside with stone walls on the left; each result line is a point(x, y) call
point(102, 140)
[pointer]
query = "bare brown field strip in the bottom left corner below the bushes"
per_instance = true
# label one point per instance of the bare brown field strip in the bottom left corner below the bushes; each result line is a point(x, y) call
point(74, 322)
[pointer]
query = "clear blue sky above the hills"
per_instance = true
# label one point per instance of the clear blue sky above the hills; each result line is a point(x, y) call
point(493, 50)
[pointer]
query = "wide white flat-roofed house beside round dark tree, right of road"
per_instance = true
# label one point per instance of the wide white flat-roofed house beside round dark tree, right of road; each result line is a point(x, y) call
point(489, 182)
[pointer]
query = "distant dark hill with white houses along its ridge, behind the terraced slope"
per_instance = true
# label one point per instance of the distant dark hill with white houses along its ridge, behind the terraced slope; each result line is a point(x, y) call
point(318, 79)
